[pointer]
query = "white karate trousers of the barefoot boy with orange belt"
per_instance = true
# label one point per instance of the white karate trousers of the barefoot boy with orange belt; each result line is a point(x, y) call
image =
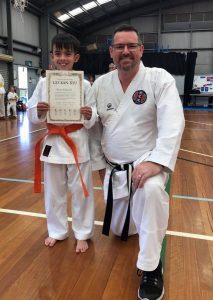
point(58, 180)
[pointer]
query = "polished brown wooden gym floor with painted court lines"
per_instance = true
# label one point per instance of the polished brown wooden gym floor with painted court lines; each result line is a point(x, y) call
point(31, 271)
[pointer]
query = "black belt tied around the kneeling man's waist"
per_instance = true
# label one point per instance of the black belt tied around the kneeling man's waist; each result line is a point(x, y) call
point(109, 205)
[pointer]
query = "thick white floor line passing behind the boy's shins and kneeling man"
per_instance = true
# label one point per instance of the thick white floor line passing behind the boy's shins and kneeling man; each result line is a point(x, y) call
point(100, 223)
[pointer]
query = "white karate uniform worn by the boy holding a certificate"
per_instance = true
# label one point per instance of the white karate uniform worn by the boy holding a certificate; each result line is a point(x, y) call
point(61, 173)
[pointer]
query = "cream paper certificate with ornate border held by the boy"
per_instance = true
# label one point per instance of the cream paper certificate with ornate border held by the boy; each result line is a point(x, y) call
point(65, 96)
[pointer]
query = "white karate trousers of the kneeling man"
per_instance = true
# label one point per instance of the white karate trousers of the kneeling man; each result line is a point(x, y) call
point(149, 218)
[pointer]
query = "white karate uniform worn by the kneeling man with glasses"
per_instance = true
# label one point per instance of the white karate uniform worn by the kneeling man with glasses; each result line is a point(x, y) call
point(143, 124)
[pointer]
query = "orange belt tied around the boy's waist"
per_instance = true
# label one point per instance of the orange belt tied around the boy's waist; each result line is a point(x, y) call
point(62, 131)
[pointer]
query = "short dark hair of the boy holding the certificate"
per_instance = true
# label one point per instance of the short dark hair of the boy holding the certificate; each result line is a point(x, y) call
point(66, 41)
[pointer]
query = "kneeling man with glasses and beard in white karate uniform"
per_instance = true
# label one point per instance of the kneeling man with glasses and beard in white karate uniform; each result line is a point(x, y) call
point(142, 119)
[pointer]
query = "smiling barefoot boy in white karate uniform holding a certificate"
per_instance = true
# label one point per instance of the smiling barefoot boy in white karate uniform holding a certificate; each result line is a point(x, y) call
point(60, 167)
